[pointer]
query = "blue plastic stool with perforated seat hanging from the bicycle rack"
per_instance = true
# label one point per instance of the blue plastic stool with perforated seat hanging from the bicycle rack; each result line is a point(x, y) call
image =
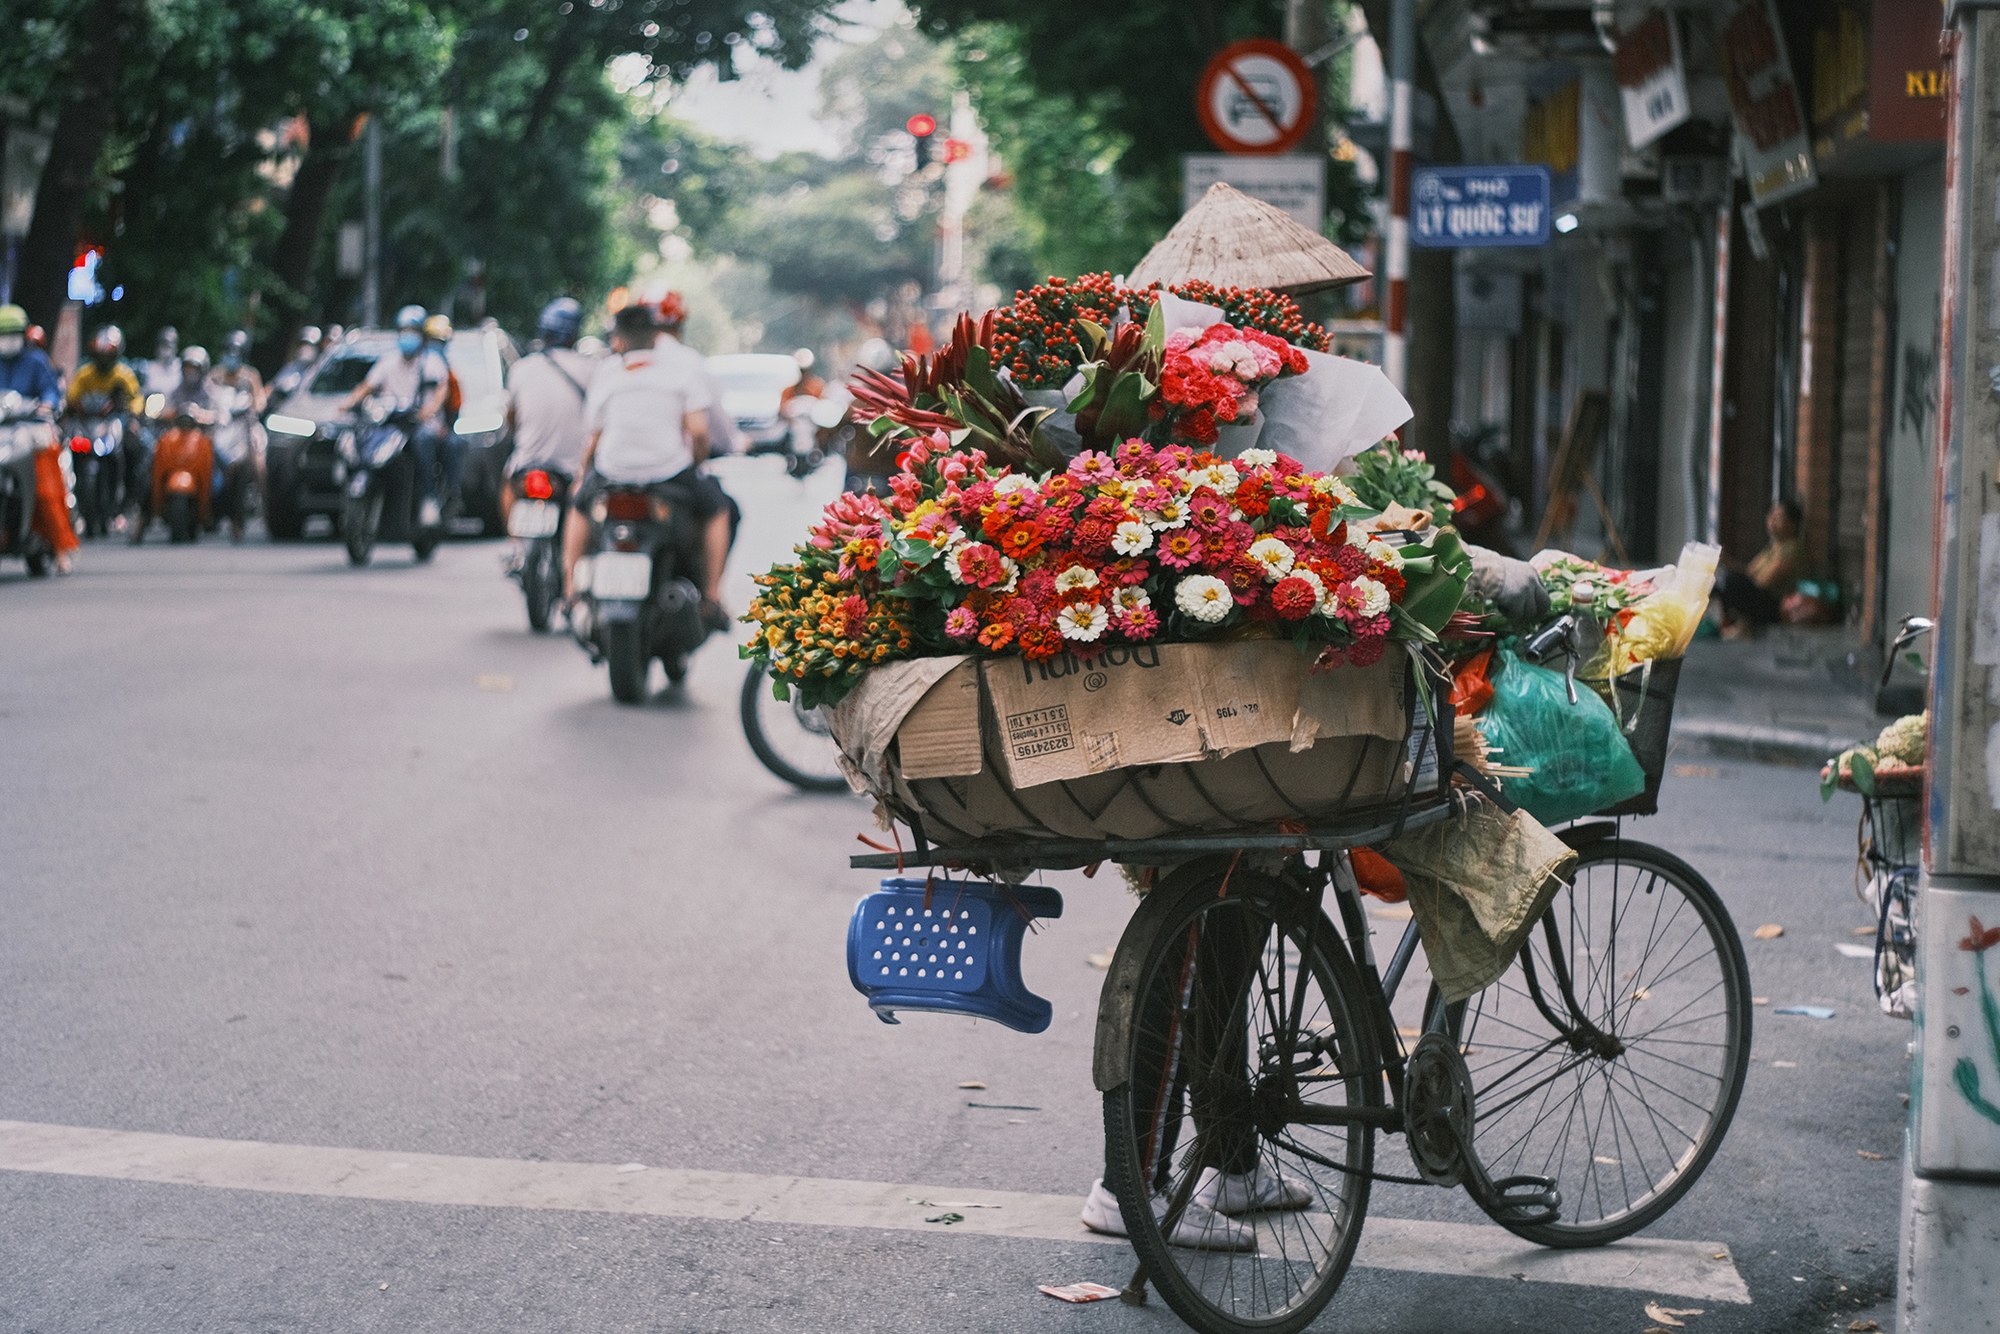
point(957, 957)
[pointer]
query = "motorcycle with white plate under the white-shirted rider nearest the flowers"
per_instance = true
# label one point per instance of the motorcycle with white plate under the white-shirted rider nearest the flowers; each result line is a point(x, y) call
point(637, 599)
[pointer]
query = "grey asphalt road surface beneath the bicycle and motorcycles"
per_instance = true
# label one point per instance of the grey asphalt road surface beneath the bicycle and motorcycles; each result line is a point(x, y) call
point(347, 859)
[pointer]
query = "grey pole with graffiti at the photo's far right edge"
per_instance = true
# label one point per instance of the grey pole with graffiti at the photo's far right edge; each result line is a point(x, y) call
point(1951, 1209)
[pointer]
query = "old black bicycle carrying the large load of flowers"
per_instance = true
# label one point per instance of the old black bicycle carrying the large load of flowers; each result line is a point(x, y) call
point(1247, 1051)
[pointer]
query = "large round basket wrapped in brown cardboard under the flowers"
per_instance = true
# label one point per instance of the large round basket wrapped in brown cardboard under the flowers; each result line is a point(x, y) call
point(1145, 743)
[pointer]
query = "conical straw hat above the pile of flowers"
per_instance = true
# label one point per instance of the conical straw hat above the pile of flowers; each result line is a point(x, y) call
point(1241, 243)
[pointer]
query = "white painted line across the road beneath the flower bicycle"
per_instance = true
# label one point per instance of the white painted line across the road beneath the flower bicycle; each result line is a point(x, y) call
point(1643, 1265)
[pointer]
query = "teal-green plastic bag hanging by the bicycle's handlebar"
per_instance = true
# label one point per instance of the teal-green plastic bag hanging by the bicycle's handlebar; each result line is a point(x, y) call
point(1579, 759)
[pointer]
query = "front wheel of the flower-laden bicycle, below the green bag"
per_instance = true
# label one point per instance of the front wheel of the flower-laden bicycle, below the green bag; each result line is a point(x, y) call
point(1625, 1109)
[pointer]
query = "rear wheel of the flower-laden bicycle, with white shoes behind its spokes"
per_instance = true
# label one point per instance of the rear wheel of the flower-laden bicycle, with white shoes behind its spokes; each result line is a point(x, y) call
point(1247, 1023)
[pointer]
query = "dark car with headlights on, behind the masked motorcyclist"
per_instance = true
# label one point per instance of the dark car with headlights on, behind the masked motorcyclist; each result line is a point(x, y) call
point(303, 471)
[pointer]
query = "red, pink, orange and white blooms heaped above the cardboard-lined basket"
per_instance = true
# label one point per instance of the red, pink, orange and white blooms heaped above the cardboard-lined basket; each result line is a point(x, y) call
point(1117, 547)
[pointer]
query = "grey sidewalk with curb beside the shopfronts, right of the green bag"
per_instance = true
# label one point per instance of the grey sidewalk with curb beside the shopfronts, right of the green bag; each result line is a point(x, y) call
point(1789, 697)
